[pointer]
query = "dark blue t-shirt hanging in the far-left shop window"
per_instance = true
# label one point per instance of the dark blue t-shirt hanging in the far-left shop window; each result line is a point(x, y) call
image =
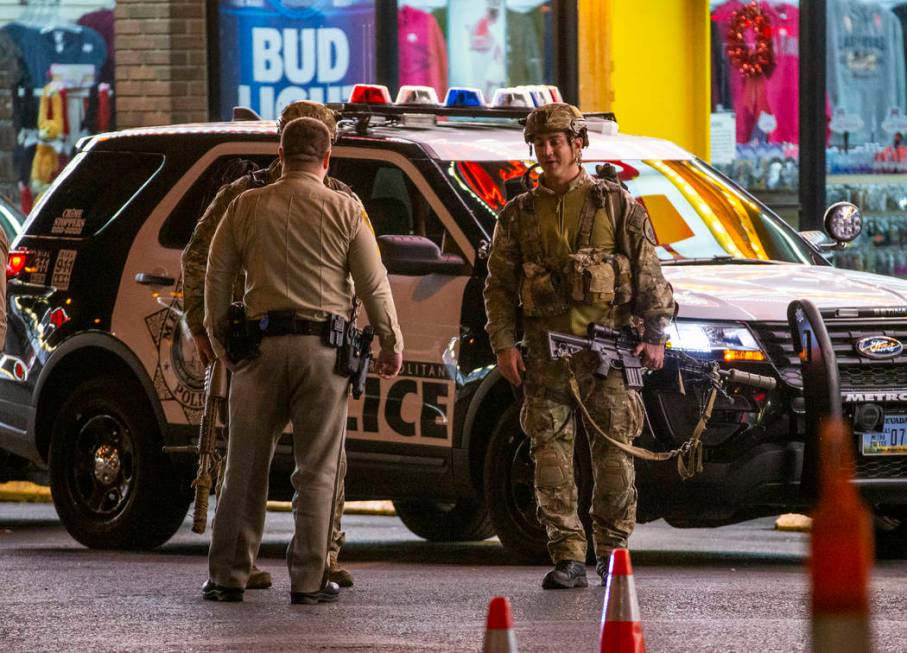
point(40, 48)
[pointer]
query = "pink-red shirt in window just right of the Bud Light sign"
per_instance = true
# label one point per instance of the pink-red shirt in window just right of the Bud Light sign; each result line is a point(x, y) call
point(422, 50)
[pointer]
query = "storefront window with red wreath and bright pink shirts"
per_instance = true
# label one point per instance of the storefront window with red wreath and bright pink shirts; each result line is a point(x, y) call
point(755, 97)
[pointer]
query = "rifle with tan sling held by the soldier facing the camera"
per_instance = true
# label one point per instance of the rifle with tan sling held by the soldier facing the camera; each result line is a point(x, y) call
point(614, 350)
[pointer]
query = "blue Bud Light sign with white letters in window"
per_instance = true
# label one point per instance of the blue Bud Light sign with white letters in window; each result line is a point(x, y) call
point(274, 52)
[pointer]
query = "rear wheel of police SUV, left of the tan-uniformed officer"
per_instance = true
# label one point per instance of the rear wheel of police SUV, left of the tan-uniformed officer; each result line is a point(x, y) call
point(111, 484)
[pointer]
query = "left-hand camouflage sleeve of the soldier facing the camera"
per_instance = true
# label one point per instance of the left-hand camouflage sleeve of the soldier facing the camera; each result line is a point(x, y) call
point(502, 283)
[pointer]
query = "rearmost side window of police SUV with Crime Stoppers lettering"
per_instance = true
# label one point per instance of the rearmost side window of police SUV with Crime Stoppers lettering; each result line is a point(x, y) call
point(91, 192)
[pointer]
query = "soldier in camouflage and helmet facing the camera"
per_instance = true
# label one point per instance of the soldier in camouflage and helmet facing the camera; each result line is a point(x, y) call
point(573, 251)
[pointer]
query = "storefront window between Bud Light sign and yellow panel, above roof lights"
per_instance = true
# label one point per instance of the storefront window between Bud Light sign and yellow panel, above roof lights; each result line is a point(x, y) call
point(485, 44)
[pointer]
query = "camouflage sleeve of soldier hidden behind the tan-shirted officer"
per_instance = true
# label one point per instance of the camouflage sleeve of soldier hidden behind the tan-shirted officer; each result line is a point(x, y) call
point(194, 259)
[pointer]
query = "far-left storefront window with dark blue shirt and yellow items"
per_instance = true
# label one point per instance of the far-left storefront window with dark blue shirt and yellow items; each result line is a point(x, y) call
point(57, 60)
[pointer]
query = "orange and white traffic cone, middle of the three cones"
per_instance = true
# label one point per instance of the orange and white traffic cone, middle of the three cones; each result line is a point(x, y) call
point(621, 628)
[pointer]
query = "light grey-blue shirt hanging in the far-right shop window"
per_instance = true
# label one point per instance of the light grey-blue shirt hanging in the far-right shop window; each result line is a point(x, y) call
point(866, 74)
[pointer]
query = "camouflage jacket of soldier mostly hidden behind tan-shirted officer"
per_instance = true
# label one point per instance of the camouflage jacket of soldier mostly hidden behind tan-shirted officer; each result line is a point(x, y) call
point(194, 259)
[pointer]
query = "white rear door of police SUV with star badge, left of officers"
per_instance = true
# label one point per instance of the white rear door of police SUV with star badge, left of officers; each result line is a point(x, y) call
point(149, 309)
